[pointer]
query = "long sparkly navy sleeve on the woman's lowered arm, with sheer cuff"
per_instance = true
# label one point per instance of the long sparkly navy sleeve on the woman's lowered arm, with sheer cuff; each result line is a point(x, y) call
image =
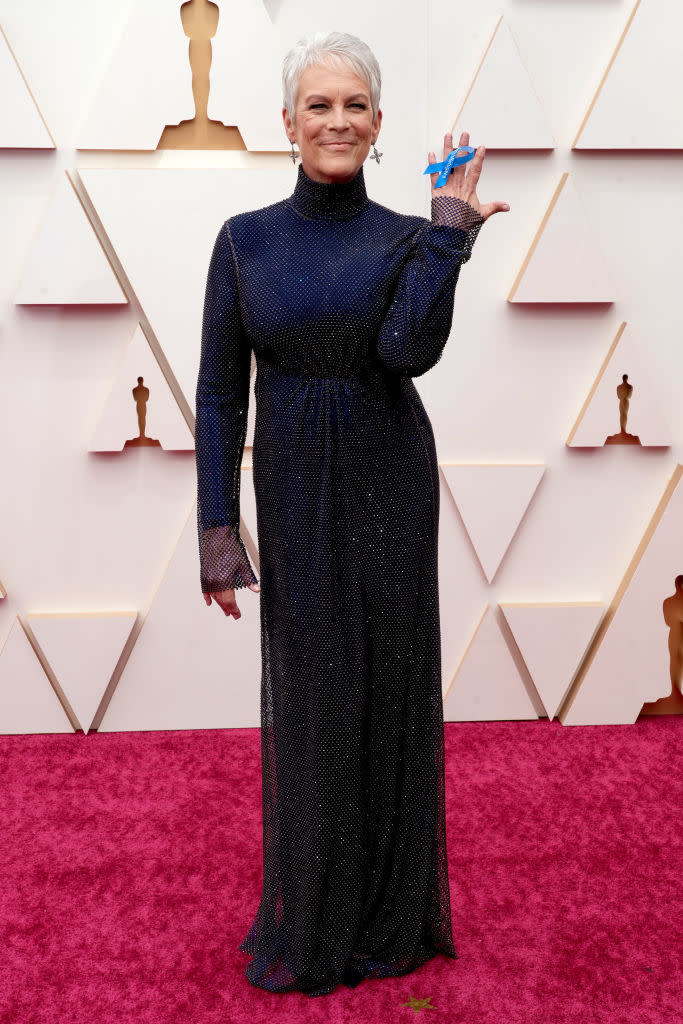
point(221, 431)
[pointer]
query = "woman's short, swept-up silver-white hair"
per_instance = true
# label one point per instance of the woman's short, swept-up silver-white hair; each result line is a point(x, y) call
point(317, 50)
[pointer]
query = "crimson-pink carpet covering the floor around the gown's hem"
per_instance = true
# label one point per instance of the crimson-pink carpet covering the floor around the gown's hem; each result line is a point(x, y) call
point(132, 870)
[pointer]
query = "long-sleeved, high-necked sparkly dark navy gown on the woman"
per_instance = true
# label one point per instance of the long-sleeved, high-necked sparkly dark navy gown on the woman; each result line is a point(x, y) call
point(344, 302)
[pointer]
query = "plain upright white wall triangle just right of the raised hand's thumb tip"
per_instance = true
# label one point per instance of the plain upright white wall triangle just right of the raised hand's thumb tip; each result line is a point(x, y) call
point(565, 264)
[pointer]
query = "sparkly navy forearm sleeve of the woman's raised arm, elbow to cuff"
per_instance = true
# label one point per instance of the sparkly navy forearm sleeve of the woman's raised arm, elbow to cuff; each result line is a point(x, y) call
point(418, 323)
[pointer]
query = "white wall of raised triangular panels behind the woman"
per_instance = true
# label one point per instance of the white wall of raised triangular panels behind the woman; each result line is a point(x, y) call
point(86, 532)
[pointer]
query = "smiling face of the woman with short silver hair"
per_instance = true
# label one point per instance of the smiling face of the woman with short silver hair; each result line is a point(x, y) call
point(333, 124)
